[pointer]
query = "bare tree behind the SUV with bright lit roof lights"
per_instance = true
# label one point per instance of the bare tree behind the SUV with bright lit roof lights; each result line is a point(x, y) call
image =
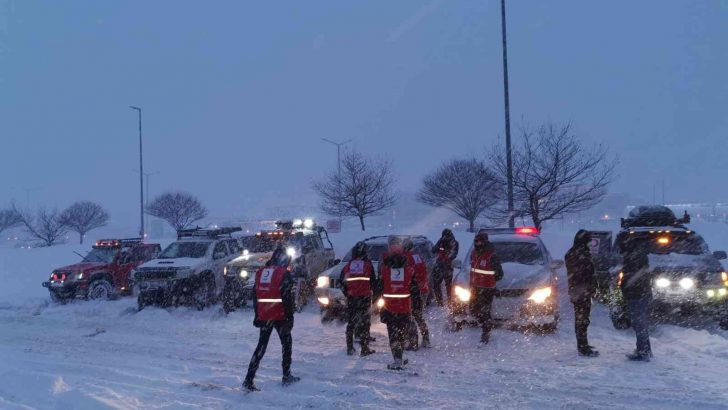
point(365, 188)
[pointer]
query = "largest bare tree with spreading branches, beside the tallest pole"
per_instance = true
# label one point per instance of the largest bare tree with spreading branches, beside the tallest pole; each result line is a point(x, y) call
point(554, 174)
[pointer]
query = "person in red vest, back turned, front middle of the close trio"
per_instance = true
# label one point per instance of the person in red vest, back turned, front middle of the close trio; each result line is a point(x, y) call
point(397, 278)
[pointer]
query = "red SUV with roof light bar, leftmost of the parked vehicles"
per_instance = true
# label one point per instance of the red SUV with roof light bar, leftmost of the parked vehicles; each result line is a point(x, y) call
point(104, 272)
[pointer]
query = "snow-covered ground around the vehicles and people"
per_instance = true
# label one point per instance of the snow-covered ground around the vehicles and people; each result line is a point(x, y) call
point(90, 355)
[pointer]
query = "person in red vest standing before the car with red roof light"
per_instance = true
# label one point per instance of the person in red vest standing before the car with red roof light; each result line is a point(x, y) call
point(485, 271)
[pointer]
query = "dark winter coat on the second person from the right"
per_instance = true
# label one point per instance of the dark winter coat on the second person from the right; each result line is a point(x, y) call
point(580, 271)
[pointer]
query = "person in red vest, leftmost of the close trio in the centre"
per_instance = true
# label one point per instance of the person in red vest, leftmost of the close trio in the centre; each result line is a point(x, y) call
point(357, 279)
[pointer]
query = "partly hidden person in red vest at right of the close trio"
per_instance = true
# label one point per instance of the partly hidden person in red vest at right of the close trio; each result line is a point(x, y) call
point(419, 295)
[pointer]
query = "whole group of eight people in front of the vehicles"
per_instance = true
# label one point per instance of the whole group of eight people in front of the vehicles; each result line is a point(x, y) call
point(403, 283)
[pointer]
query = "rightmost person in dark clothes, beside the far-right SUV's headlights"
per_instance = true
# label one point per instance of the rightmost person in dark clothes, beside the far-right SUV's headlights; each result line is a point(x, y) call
point(636, 285)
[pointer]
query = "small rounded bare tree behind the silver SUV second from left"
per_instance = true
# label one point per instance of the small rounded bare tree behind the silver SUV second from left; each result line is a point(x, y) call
point(179, 209)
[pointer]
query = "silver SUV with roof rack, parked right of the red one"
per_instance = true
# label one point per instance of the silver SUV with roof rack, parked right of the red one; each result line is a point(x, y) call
point(188, 271)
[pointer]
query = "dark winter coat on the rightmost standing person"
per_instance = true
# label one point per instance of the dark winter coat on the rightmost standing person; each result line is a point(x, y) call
point(637, 280)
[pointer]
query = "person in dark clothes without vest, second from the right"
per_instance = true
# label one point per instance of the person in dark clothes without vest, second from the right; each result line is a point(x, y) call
point(580, 274)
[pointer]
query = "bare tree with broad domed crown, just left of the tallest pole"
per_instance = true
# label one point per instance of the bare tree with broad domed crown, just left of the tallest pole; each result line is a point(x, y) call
point(465, 186)
